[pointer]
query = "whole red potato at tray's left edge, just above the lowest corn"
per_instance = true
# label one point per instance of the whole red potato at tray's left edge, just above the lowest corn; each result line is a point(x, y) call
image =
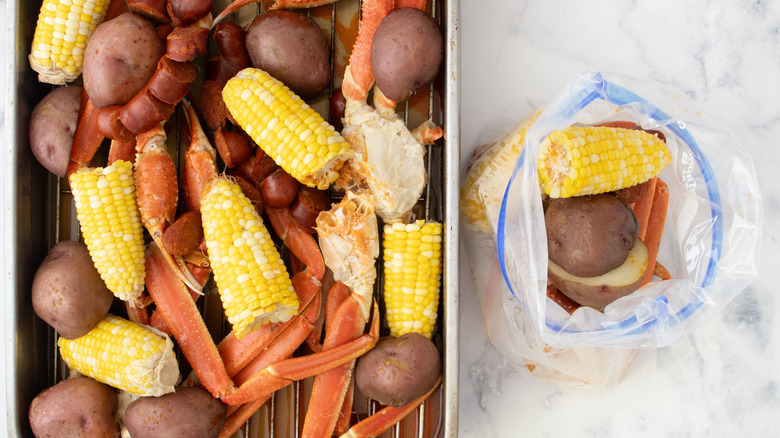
point(67, 291)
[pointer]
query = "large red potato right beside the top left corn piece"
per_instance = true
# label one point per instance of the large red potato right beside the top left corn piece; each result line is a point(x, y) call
point(120, 57)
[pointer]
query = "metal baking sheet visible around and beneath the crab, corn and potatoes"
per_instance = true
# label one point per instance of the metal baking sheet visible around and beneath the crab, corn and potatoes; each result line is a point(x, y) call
point(40, 213)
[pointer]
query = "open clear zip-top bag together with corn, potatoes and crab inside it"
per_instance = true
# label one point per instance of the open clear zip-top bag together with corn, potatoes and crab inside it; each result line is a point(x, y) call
point(617, 218)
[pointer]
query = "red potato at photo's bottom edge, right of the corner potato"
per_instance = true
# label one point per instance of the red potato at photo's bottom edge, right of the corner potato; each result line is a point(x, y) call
point(187, 413)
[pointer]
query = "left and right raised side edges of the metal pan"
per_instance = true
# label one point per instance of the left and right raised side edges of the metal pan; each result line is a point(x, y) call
point(30, 224)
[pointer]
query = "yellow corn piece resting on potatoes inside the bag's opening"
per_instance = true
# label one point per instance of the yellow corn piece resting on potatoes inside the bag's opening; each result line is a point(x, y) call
point(584, 160)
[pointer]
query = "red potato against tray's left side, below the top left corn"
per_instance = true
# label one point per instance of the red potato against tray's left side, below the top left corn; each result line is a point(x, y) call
point(52, 125)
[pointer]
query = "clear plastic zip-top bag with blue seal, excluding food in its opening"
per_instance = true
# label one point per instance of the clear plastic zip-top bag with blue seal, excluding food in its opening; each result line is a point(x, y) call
point(709, 245)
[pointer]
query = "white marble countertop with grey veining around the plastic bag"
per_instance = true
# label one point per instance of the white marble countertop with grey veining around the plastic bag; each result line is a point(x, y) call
point(516, 55)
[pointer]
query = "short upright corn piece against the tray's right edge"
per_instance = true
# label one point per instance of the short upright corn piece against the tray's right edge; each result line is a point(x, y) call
point(412, 268)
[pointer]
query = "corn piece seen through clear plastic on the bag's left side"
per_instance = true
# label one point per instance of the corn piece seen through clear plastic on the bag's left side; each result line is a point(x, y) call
point(483, 188)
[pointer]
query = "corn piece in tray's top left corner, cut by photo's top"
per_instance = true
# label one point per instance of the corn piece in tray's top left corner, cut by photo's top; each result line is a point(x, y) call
point(61, 36)
